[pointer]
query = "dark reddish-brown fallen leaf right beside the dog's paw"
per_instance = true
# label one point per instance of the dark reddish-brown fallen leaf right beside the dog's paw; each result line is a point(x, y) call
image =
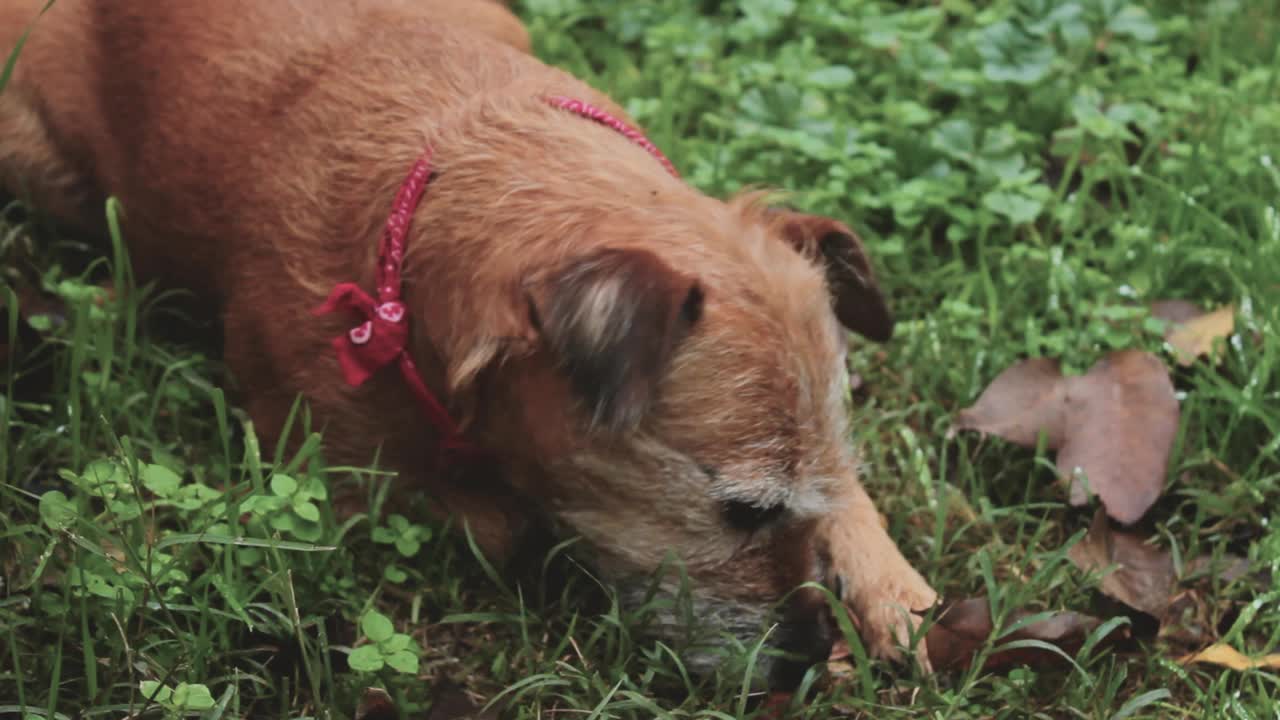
point(963, 628)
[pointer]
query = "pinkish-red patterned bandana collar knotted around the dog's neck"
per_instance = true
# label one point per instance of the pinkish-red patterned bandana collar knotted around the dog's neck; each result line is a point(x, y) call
point(383, 338)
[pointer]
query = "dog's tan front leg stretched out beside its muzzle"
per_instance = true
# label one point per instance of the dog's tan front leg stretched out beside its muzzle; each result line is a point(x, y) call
point(885, 593)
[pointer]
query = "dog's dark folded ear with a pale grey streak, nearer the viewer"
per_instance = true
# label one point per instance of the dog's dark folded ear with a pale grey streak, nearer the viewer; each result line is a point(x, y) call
point(612, 321)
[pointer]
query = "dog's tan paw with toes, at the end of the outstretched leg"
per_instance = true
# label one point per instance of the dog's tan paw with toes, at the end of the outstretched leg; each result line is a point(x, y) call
point(889, 613)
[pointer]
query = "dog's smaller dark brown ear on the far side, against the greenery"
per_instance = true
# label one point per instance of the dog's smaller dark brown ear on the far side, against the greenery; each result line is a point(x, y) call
point(858, 299)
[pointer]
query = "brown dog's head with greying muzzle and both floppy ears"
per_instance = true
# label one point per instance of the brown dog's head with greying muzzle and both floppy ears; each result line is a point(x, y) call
point(666, 379)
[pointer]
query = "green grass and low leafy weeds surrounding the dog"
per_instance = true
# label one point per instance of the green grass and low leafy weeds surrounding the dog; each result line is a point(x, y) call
point(1026, 174)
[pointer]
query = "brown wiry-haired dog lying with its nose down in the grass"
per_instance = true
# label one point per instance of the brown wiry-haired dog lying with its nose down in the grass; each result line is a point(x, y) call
point(655, 371)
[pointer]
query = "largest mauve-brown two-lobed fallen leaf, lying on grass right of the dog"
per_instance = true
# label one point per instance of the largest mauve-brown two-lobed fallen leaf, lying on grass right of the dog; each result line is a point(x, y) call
point(1114, 426)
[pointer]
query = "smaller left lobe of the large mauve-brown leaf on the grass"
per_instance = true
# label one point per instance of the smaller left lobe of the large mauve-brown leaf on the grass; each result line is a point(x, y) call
point(1023, 402)
